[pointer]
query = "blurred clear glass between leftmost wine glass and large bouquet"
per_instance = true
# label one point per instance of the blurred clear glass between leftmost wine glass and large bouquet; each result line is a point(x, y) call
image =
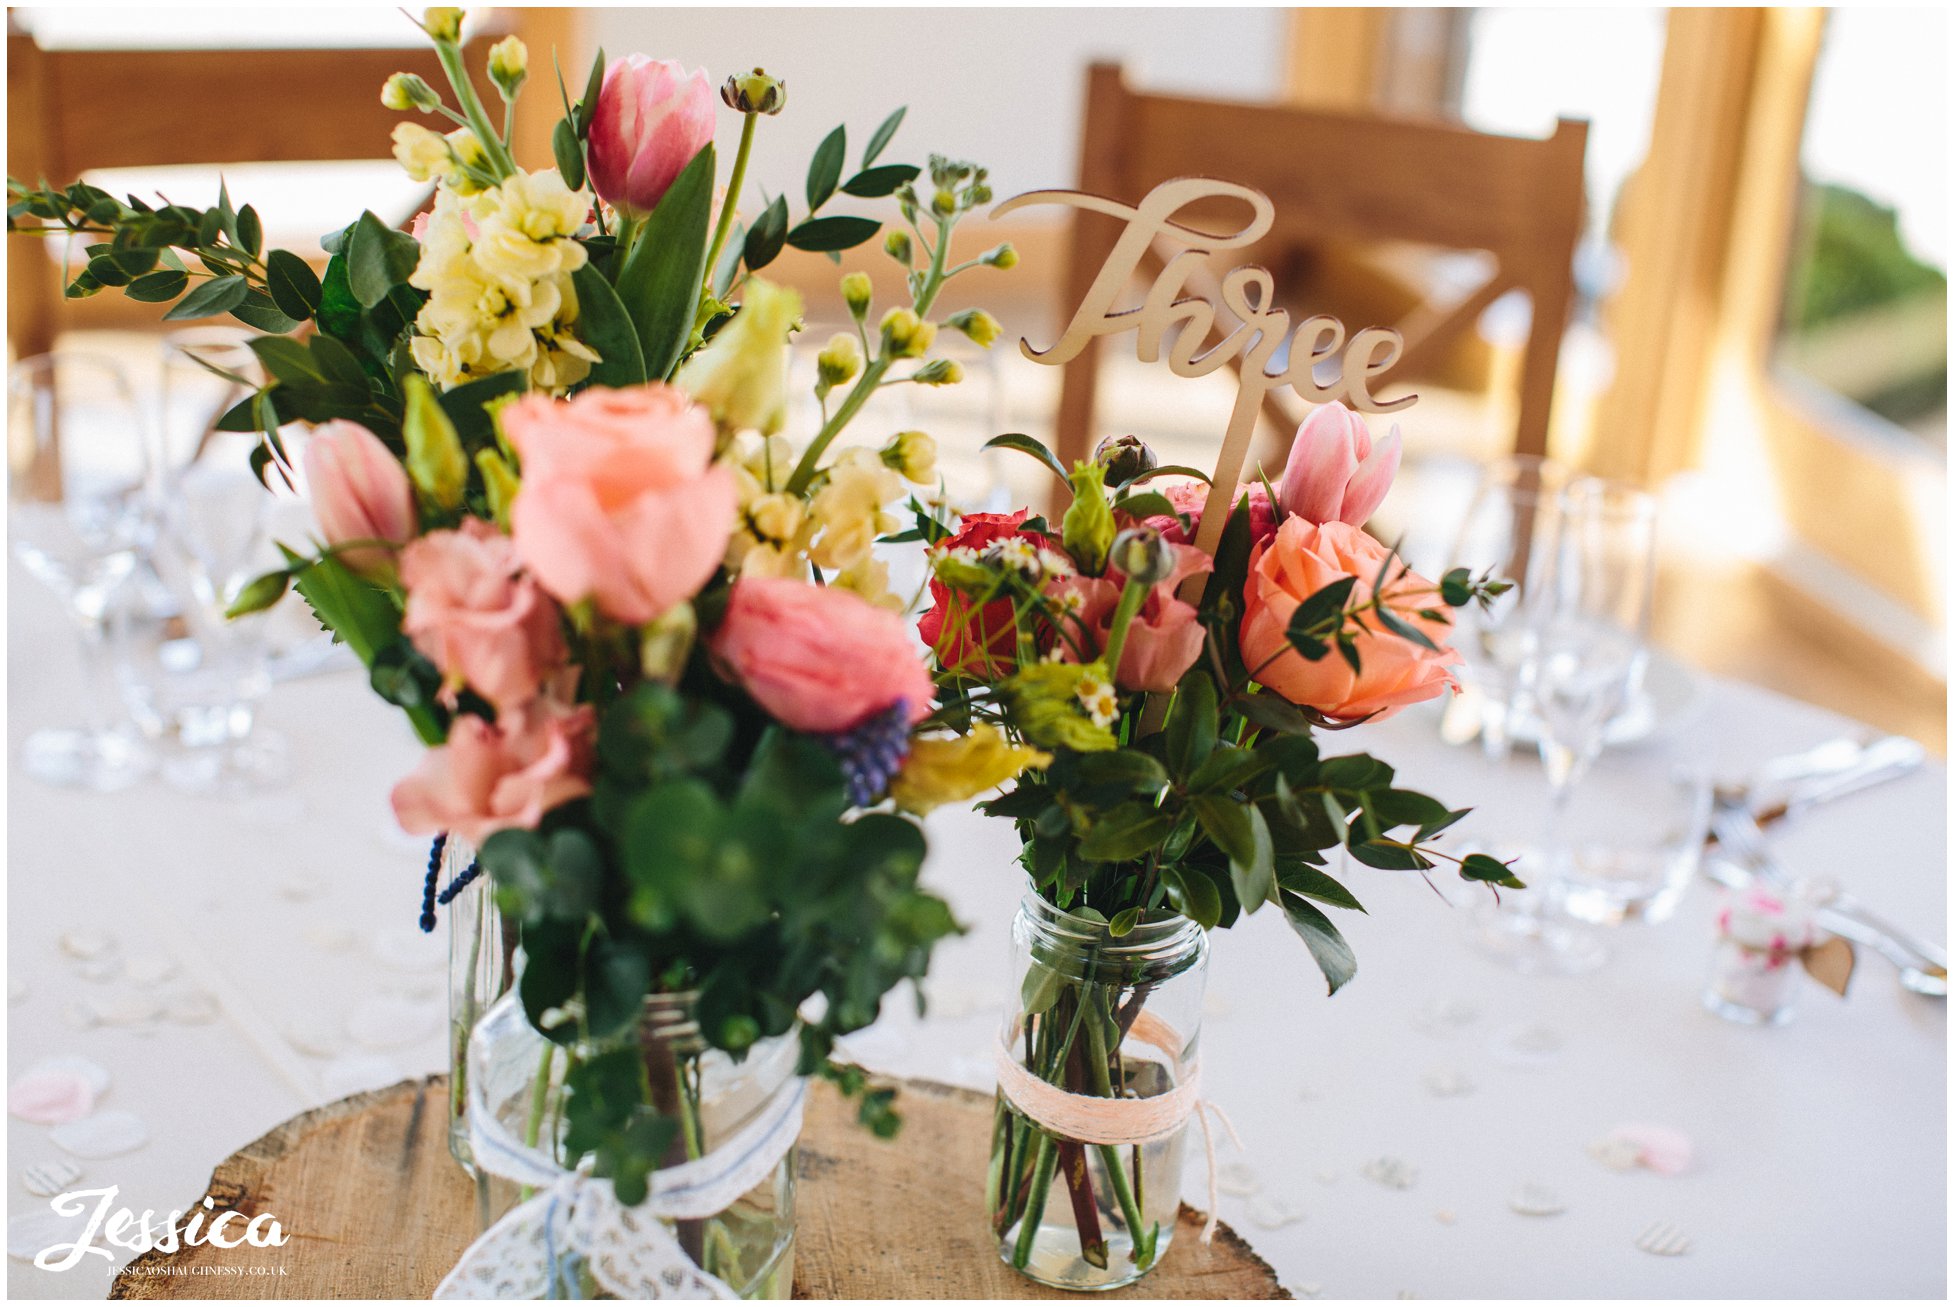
point(191, 677)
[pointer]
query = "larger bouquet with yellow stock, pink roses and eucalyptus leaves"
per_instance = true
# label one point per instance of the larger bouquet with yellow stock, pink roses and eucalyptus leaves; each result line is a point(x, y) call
point(642, 632)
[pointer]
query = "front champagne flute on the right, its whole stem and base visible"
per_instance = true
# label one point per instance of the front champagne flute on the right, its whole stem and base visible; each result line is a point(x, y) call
point(1588, 620)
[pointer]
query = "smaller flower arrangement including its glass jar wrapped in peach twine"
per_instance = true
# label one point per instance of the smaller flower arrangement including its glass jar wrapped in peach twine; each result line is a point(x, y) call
point(1173, 700)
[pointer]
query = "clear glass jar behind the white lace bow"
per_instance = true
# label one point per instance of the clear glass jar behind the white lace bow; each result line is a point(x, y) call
point(714, 1101)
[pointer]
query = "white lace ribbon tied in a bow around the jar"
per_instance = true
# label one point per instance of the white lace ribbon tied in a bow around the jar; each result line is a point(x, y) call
point(632, 1255)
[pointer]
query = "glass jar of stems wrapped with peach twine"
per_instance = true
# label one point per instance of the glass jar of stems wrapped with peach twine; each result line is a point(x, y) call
point(1097, 1077)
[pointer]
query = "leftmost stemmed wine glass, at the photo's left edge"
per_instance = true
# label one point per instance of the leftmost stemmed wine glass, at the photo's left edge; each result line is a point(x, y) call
point(81, 517)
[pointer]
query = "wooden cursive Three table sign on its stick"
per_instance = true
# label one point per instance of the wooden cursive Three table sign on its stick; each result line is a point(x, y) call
point(1248, 294)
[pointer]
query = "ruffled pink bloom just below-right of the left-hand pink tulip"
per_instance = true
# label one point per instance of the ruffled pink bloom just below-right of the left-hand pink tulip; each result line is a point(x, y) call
point(478, 618)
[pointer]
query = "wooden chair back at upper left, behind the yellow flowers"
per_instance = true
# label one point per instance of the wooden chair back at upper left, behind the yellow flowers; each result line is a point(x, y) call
point(71, 110)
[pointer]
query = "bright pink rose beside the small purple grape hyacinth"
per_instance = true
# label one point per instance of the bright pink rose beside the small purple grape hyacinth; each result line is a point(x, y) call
point(820, 659)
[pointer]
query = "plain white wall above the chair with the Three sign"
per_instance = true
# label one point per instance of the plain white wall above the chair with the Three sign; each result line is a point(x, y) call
point(1001, 87)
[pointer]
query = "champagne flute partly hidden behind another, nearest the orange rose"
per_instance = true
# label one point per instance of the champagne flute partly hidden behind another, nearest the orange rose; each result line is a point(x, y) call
point(1508, 528)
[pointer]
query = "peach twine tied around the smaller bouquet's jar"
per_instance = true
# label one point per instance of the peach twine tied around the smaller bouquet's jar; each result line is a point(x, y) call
point(1123, 1122)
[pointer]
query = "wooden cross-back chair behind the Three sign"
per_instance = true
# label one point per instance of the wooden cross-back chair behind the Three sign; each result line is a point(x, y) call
point(1338, 179)
